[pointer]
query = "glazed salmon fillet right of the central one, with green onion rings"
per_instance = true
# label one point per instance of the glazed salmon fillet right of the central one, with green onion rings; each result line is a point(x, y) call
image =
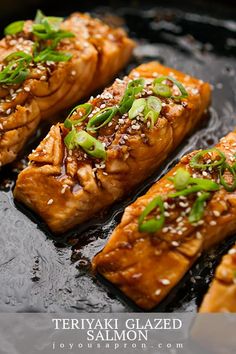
point(146, 264)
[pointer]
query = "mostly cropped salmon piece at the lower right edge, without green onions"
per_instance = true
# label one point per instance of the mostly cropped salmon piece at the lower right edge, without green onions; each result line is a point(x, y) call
point(221, 297)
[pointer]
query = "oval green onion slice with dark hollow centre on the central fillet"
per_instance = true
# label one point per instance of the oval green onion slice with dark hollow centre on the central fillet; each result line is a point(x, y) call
point(101, 118)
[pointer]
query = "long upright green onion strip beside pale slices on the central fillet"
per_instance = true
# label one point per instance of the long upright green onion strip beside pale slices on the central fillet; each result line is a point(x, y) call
point(133, 88)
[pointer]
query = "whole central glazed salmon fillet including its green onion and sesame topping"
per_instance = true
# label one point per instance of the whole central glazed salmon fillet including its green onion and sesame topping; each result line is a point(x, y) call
point(107, 146)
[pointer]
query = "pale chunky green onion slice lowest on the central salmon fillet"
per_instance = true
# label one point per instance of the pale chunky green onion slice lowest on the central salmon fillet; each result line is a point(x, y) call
point(88, 143)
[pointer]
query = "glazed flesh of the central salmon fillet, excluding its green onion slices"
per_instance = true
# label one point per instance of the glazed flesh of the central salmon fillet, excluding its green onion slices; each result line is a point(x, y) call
point(67, 187)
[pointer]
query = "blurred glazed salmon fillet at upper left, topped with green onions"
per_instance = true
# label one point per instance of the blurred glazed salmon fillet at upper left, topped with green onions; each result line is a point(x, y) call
point(86, 59)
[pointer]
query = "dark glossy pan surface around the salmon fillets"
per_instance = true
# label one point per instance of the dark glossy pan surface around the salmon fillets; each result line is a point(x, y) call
point(39, 273)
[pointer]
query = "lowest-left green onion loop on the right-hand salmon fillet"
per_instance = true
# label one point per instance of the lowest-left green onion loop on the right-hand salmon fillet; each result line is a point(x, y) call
point(156, 223)
